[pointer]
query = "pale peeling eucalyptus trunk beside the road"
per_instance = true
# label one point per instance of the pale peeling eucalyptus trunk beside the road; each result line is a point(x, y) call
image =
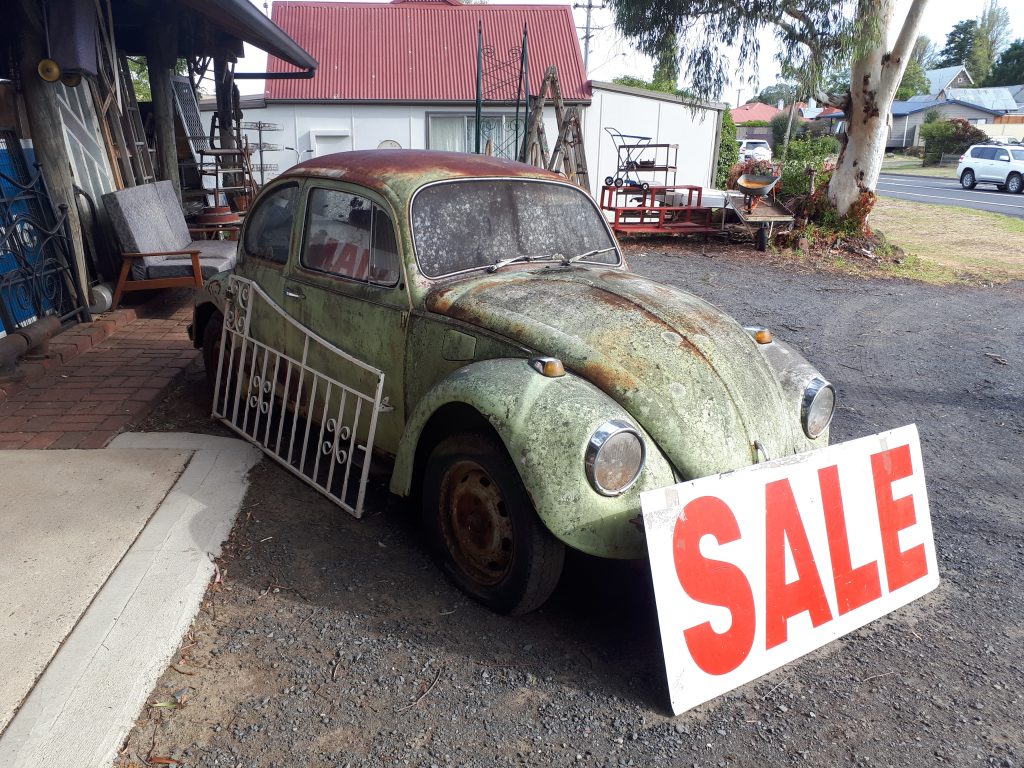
point(874, 79)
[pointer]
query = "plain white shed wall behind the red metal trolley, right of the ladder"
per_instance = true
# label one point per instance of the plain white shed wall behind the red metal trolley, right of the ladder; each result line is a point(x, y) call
point(664, 118)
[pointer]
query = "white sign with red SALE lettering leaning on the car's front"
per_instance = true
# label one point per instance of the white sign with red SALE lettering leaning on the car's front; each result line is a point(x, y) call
point(757, 568)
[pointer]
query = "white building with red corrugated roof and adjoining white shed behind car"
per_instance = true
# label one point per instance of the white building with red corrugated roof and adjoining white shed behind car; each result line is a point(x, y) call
point(404, 75)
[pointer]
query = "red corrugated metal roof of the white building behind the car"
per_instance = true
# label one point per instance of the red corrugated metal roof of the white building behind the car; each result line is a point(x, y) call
point(420, 52)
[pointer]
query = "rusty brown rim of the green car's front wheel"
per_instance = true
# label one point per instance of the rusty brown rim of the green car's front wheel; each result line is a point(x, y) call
point(476, 524)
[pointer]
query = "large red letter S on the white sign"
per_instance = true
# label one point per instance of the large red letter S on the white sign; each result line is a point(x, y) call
point(714, 583)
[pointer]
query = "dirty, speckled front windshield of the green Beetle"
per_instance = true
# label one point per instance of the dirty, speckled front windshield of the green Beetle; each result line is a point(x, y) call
point(473, 225)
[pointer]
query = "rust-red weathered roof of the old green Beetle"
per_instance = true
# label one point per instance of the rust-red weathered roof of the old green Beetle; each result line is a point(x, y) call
point(403, 172)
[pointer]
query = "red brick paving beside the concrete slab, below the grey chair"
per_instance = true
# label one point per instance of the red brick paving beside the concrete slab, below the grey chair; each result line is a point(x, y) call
point(83, 403)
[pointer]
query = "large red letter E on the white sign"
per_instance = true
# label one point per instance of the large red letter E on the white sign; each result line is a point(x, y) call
point(903, 567)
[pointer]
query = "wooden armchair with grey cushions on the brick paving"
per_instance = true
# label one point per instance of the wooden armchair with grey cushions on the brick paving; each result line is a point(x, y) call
point(158, 247)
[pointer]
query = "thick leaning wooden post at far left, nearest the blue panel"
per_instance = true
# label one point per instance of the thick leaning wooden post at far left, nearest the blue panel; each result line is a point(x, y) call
point(48, 133)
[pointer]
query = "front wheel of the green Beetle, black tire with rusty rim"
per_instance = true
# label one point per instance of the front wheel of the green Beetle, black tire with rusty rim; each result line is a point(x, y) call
point(482, 525)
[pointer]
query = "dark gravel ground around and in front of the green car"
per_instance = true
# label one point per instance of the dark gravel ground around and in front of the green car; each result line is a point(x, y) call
point(337, 643)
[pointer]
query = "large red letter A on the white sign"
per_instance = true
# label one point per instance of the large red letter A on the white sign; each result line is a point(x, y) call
point(805, 594)
